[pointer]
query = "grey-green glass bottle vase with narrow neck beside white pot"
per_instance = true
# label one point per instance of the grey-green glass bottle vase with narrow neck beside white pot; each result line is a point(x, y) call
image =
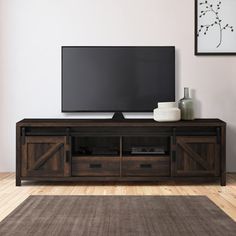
point(186, 106)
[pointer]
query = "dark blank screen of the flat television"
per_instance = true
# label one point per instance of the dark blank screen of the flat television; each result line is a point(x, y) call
point(117, 79)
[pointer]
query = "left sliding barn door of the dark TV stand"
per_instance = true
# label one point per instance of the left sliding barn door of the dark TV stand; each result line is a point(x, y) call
point(45, 156)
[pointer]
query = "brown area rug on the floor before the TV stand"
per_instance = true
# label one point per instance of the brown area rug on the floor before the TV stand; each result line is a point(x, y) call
point(117, 215)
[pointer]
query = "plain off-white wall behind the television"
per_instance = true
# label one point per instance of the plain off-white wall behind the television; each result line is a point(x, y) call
point(32, 32)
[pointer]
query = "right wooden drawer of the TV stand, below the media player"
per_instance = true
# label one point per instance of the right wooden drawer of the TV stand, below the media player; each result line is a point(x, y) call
point(146, 166)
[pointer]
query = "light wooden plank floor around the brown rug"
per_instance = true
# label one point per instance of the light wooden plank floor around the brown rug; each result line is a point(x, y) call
point(11, 196)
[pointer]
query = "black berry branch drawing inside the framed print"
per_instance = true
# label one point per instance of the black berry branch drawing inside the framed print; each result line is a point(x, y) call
point(213, 9)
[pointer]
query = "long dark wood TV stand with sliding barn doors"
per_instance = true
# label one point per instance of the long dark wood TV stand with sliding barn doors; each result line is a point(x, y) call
point(106, 150)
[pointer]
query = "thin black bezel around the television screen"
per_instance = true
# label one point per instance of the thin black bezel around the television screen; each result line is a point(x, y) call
point(103, 111)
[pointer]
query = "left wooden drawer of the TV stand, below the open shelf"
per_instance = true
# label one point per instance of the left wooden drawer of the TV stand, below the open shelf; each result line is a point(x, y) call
point(95, 166)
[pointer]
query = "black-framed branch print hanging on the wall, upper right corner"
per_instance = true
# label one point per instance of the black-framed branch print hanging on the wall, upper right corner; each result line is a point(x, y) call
point(215, 27)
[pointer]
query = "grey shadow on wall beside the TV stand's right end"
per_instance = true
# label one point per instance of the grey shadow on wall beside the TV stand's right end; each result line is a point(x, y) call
point(230, 148)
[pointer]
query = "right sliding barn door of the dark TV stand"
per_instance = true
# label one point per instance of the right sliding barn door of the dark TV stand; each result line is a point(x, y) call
point(196, 156)
